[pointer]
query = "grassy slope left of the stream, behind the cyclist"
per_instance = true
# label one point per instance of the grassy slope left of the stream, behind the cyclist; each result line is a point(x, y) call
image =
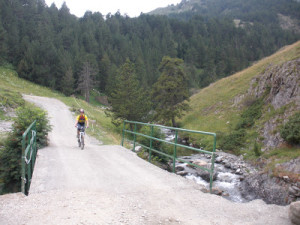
point(102, 129)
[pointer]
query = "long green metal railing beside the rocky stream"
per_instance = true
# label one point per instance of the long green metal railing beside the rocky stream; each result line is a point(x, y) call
point(175, 143)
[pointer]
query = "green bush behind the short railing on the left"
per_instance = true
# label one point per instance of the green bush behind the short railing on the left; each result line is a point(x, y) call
point(10, 155)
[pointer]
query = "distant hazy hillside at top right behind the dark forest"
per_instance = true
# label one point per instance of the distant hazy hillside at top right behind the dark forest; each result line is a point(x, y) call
point(283, 13)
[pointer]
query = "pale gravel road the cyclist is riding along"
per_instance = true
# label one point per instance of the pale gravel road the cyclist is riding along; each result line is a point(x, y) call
point(111, 185)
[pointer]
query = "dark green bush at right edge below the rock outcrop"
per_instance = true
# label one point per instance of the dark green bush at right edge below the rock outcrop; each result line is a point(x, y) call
point(290, 132)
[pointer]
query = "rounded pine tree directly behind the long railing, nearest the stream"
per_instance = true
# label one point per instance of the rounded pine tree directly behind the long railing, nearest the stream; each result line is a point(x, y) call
point(170, 93)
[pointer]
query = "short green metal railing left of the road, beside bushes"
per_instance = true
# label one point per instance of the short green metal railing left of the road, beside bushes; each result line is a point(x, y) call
point(29, 151)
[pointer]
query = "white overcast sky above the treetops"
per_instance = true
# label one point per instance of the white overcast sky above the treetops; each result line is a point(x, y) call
point(132, 8)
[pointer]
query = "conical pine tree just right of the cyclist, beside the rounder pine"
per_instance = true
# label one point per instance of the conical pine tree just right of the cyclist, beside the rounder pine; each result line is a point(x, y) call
point(128, 100)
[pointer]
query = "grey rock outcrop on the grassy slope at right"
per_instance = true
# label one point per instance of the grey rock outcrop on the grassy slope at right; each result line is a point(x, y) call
point(282, 86)
